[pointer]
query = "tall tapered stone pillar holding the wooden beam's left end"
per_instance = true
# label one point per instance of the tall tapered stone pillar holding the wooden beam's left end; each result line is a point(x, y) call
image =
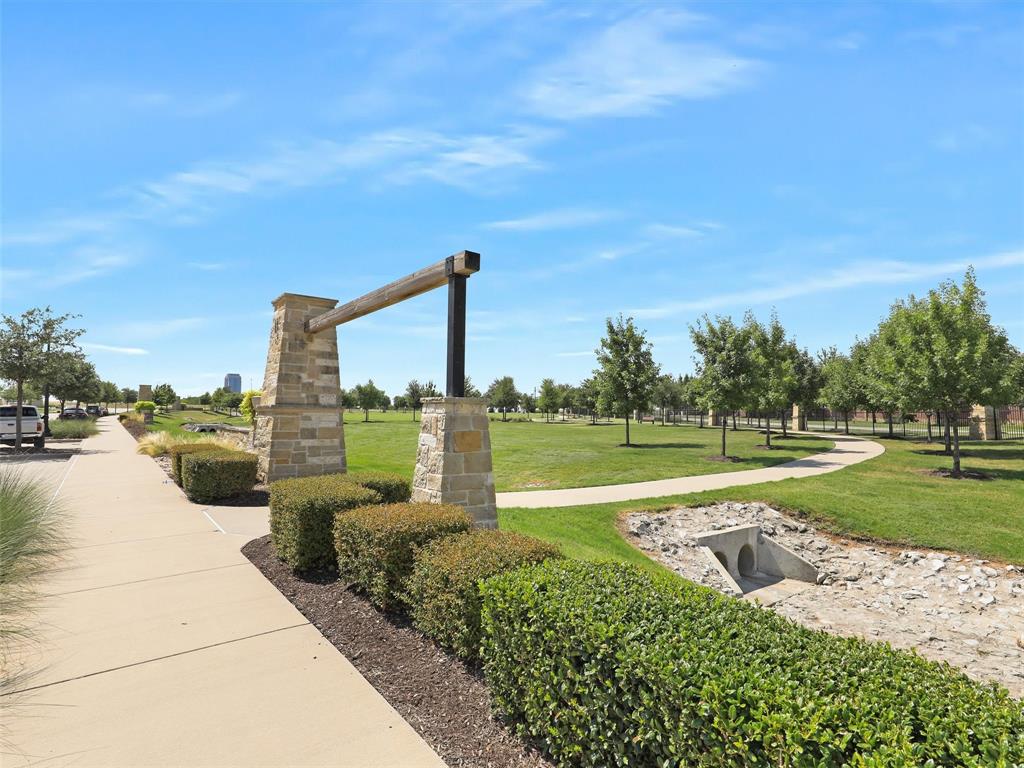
point(300, 429)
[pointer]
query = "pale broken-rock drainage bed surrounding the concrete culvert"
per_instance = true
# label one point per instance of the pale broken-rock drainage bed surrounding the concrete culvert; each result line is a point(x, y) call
point(949, 607)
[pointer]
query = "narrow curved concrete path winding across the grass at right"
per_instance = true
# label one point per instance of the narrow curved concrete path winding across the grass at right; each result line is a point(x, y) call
point(848, 451)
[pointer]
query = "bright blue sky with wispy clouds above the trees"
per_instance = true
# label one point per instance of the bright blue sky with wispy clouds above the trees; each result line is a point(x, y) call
point(168, 170)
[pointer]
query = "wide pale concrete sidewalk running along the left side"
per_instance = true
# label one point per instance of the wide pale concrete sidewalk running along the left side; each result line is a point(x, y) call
point(159, 645)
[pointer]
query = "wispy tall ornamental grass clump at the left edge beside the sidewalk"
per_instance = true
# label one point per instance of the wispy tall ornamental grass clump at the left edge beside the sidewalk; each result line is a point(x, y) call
point(31, 542)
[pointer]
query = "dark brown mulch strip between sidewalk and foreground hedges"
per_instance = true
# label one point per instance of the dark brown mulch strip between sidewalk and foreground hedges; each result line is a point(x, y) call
point(444, 700)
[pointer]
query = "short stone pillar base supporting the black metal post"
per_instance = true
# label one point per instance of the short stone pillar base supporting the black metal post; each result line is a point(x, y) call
point(453, 461)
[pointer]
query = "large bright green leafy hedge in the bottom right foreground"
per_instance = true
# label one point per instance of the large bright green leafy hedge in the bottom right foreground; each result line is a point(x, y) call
point(605, 665)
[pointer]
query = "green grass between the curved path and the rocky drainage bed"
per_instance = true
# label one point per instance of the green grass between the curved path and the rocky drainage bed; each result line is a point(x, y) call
point(891, 498)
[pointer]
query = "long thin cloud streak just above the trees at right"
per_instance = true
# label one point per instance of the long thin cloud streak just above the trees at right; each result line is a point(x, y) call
point(851, 276)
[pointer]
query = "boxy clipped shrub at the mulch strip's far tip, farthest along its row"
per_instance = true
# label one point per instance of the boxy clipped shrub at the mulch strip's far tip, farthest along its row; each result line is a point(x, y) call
point(303, 511)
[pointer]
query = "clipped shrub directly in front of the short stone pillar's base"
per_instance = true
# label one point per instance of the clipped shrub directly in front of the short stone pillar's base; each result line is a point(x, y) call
point(376, 545)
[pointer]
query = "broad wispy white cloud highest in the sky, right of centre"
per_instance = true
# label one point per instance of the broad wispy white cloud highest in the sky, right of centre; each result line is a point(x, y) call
point(634, 68)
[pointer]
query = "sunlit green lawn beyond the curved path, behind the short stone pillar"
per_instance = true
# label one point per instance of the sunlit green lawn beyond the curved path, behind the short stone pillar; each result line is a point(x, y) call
point(535, 455)
